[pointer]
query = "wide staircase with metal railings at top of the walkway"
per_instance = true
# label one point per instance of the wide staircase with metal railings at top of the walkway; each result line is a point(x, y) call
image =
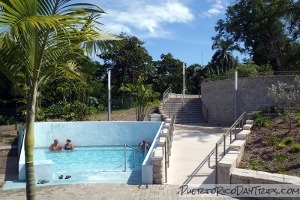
point(189, 112)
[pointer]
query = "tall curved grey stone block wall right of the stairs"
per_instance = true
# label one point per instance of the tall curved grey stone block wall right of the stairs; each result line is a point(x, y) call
point(219, 96)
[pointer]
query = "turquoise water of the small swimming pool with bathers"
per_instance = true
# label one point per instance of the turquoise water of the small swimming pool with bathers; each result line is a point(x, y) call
point(94, 164)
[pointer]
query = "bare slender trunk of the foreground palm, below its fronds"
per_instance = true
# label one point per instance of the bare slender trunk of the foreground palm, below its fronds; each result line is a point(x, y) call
point(29, 143)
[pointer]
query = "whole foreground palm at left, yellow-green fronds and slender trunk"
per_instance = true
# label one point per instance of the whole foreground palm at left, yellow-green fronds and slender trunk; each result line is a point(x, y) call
point(38, 38)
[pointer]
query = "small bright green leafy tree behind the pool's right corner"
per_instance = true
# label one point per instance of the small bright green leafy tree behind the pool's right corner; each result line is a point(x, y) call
point(144, 97)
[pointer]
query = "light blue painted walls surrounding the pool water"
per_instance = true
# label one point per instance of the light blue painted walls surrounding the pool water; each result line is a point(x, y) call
point(95, 133)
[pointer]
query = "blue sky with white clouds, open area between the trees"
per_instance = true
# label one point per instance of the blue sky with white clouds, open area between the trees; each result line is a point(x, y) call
point(181, 27)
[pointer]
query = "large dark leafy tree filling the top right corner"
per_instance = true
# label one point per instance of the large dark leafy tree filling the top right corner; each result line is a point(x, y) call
point(262, 28)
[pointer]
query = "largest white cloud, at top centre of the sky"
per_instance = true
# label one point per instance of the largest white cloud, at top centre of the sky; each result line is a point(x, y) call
point(145, 18)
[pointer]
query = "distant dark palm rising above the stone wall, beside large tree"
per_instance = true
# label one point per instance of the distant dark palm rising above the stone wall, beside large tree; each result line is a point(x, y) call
point(223, 56)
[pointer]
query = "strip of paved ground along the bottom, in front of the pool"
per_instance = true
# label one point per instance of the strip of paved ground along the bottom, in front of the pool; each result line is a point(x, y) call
point(104, 191)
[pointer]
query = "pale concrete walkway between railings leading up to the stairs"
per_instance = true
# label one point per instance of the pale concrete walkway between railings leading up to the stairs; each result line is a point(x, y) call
point(191, 144)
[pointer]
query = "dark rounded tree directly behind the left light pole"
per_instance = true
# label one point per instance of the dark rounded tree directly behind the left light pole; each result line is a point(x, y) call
point(127, 62)
